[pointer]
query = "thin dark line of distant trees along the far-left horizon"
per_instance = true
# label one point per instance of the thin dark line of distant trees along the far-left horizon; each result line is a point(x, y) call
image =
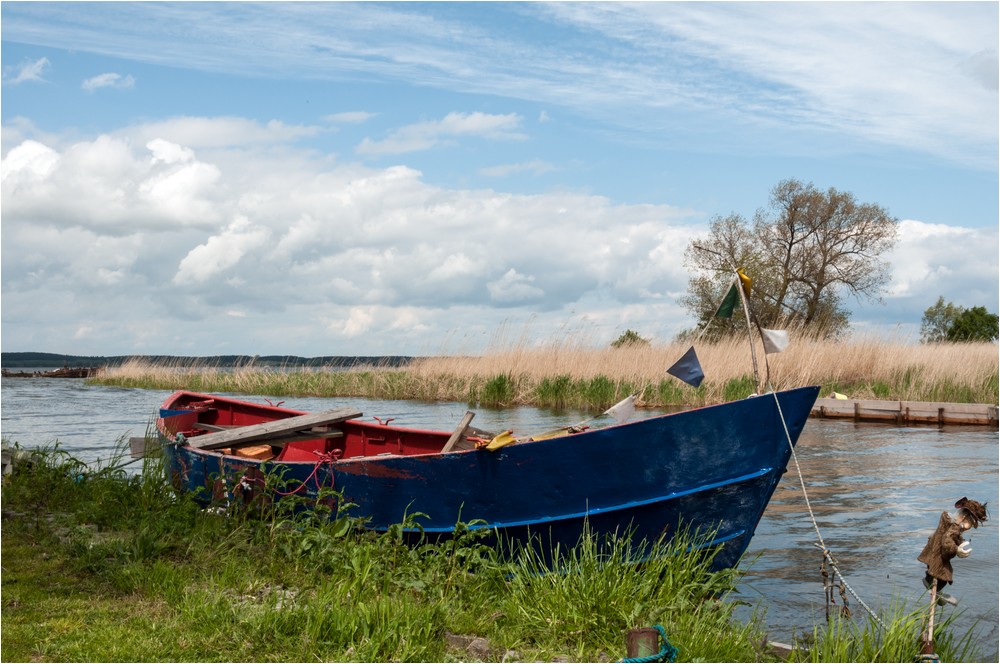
point(50, 360)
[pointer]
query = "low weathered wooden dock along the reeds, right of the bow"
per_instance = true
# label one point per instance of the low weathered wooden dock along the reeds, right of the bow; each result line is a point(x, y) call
point(907, 412)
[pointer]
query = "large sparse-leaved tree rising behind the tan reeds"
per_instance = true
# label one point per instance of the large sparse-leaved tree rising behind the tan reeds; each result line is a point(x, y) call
point(805, 252)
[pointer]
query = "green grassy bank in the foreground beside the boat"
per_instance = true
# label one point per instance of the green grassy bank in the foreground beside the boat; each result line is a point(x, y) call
point(103, 566)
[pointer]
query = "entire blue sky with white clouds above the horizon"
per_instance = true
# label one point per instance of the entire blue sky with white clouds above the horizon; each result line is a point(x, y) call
point(441, 178)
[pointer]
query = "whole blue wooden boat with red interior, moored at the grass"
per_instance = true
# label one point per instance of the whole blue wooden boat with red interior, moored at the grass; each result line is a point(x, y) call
point(712, 468)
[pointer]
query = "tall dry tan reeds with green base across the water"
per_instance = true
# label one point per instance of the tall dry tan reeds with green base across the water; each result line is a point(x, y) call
point(587, 378)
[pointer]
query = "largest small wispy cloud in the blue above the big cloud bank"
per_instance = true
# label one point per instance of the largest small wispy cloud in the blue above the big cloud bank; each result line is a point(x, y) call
point(425, 135)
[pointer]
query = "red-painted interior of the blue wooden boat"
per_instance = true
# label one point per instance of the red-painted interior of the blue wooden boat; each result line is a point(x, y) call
point(342, 440)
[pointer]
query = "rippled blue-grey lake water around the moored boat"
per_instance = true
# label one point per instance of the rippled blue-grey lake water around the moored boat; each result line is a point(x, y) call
point(877, 492)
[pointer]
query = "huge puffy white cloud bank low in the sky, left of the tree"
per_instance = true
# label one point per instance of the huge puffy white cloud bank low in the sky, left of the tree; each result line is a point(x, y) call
point(351, 249)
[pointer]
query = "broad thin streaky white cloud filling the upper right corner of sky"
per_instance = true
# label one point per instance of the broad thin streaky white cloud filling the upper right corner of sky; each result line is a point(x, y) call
point(882, 71)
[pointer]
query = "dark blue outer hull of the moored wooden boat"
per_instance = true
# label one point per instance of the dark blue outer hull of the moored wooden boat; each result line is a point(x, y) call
point(713, 468)
